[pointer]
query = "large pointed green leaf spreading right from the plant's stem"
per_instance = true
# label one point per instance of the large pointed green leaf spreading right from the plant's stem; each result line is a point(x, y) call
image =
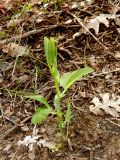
point(67, 79)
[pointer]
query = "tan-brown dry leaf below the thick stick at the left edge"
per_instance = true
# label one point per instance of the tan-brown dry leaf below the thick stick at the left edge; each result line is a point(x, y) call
point(15, 50)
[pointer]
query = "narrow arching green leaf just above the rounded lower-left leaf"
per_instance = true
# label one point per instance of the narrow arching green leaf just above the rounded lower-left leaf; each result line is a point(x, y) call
point(39, 99)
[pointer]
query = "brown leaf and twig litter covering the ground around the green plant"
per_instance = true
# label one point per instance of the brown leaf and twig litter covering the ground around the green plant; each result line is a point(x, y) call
point(91, 136)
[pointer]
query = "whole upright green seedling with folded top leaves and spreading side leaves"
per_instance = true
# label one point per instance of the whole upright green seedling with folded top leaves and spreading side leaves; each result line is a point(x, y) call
point(64, 81)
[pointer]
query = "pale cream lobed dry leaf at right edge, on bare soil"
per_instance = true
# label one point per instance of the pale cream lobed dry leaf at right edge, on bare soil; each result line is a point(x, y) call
point(110, 106)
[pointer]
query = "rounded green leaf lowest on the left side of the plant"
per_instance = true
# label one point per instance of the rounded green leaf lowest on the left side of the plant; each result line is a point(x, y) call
point(40, 115)
